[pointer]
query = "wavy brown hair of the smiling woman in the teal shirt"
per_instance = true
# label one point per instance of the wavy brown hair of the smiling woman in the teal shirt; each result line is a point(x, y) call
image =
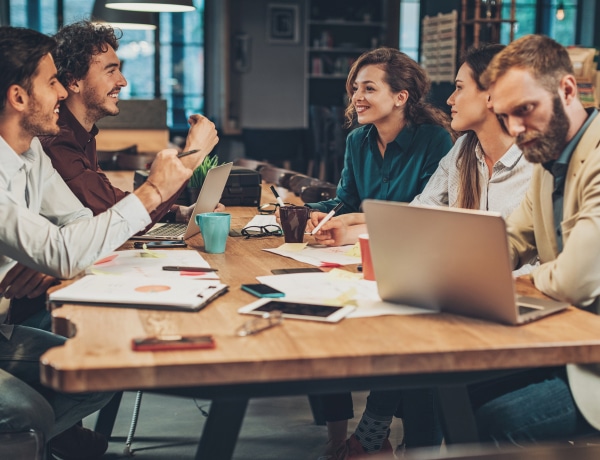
point(401, 73)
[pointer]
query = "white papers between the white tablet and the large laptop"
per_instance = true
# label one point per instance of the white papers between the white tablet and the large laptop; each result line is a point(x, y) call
point(338, 288)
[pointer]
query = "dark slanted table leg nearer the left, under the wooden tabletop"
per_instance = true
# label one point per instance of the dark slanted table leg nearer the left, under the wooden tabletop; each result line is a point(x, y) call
point(221, 429)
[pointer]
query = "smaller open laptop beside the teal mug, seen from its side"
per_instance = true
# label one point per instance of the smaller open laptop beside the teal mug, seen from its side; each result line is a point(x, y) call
point(209, 197)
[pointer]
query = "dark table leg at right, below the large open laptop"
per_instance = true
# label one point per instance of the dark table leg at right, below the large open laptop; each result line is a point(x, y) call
point(457, 416)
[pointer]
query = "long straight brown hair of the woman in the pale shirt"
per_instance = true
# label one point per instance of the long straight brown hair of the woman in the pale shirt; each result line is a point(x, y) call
point(469, 187)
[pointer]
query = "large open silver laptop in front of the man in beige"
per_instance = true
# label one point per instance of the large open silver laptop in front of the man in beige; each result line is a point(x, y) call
point(447, 259)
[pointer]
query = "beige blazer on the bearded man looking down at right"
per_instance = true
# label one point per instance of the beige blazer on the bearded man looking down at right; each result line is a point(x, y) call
point(574, 274)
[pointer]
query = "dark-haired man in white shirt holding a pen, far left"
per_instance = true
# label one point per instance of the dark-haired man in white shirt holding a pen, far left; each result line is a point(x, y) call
point(46, 229)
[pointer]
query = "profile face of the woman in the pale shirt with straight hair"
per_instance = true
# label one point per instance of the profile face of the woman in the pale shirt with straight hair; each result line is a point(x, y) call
point(469, 104)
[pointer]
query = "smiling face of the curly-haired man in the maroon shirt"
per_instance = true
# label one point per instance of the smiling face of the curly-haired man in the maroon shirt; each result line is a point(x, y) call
point(101, 86)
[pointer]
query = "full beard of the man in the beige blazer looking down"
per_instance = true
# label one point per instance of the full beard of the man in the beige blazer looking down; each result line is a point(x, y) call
point(547, 145)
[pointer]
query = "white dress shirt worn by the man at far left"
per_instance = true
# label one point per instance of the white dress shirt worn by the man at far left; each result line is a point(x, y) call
point(45, 227)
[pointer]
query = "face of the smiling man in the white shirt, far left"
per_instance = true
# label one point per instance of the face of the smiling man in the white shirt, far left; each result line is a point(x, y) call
point(41, 114)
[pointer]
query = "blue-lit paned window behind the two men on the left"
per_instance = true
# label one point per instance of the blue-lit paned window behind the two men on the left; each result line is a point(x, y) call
point(181, 53)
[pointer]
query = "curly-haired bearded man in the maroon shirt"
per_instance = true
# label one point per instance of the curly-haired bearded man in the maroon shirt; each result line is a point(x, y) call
point(89, 69)
